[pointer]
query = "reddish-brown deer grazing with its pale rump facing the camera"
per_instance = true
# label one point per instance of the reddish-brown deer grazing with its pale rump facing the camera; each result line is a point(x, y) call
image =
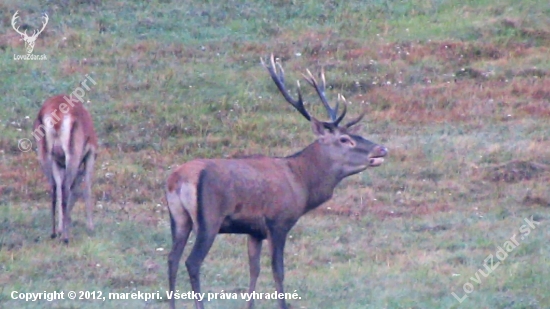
point(67, 146)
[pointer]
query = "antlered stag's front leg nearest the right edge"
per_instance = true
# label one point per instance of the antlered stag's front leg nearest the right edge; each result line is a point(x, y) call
point(277, 246)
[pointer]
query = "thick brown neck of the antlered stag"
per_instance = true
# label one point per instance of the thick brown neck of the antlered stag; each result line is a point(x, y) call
point(316, 172)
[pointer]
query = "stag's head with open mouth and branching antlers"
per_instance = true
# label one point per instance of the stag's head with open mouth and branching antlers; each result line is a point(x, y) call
point(351, 152)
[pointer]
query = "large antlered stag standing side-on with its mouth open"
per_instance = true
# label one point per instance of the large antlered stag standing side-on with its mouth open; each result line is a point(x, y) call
point(262, 196)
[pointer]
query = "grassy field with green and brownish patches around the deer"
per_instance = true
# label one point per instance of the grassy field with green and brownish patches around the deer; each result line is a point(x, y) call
point(459, 92)
